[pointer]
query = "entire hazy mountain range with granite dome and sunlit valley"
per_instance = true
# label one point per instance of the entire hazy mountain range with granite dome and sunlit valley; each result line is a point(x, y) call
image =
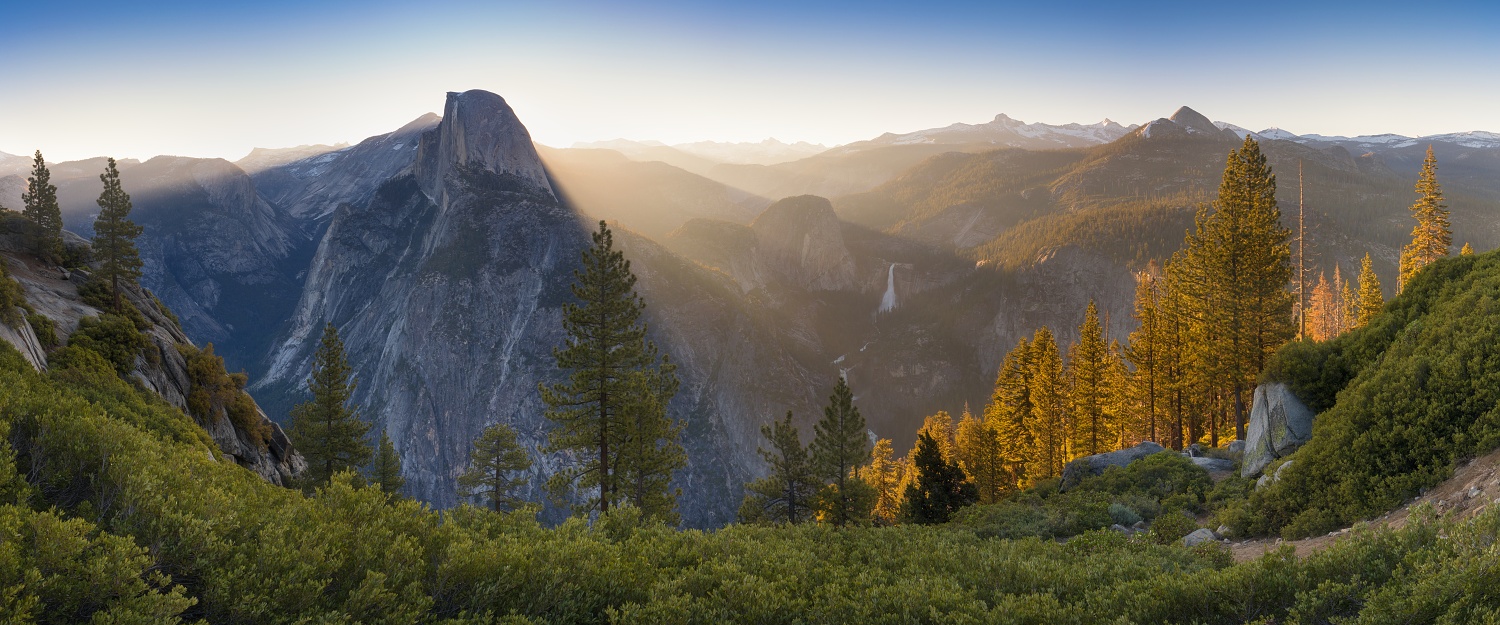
point(910, 265)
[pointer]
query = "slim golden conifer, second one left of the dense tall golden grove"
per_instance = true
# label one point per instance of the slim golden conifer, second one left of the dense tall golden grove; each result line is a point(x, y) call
point(1049, 395)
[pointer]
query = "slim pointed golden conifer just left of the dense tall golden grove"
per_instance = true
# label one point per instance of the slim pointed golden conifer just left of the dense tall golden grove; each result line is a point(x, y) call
point(1088, 365)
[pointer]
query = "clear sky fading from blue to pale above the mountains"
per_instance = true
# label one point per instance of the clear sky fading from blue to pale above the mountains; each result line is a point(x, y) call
point(217, 79)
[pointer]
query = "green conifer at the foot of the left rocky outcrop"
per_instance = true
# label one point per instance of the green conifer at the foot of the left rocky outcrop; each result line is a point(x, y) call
point(328, 429)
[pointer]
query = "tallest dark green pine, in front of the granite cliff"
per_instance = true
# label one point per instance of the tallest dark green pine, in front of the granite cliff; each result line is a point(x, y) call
point(617, 392)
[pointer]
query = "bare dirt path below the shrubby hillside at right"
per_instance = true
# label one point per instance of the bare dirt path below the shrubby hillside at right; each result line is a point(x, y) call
point(1472, 488)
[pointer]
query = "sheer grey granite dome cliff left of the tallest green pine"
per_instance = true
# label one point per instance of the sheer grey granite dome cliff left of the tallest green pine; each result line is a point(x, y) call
point(448, 290)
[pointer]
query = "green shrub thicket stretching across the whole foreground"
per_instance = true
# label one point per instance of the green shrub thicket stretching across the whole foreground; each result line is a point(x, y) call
point(113, 512)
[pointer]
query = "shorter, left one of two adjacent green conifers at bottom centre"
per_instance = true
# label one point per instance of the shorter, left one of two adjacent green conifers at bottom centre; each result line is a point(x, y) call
point(790, 494)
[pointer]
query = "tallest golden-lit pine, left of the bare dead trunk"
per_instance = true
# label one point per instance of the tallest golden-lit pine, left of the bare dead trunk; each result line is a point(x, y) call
point(1237, 271)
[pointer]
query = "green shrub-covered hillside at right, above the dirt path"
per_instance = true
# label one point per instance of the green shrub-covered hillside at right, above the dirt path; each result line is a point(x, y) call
point(1400, 402)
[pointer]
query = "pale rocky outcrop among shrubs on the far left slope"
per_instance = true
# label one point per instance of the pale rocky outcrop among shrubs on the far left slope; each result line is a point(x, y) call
point(161, 369)
